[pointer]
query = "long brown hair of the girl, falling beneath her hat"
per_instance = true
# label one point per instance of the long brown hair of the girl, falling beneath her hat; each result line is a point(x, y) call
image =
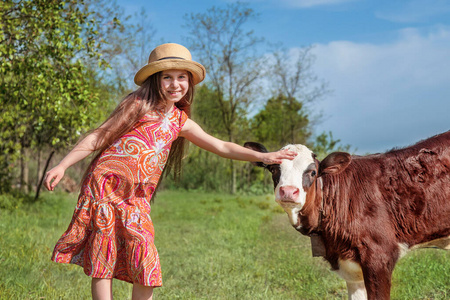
point(133, 108)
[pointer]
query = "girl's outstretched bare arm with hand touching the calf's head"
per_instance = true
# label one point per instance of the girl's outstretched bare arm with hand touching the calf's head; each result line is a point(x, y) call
point(195, 134)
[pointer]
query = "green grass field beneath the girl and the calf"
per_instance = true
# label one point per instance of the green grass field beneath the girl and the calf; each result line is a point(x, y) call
point(211, 246)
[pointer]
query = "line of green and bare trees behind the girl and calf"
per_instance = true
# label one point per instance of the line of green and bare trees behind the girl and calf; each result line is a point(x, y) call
point(65, 65)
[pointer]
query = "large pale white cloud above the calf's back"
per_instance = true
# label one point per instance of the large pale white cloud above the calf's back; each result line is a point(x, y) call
point(387, 95)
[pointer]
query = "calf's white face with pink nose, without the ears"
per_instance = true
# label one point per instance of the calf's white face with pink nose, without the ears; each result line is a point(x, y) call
point(294, 174)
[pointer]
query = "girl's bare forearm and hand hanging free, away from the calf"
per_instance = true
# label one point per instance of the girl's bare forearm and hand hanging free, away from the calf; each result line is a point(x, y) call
point(79, 152)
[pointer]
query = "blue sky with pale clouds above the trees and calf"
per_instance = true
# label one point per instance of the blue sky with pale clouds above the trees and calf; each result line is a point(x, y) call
point(386, 62)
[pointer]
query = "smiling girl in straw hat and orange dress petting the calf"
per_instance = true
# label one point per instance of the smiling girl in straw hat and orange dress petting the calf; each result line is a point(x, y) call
point(111, 233)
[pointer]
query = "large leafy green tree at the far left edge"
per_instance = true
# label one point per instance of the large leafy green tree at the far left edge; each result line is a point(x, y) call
point(47, 97)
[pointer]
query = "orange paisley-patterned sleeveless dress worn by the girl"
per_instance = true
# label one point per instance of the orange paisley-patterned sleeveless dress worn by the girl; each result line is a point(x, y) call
point(111, 234)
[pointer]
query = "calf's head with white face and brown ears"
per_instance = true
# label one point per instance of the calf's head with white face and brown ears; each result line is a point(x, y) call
point(297, 182)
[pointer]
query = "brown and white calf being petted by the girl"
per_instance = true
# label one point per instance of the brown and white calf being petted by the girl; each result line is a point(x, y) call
point(368, 211)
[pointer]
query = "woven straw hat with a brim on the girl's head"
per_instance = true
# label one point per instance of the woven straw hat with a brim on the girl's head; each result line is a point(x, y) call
point(167, 57)
